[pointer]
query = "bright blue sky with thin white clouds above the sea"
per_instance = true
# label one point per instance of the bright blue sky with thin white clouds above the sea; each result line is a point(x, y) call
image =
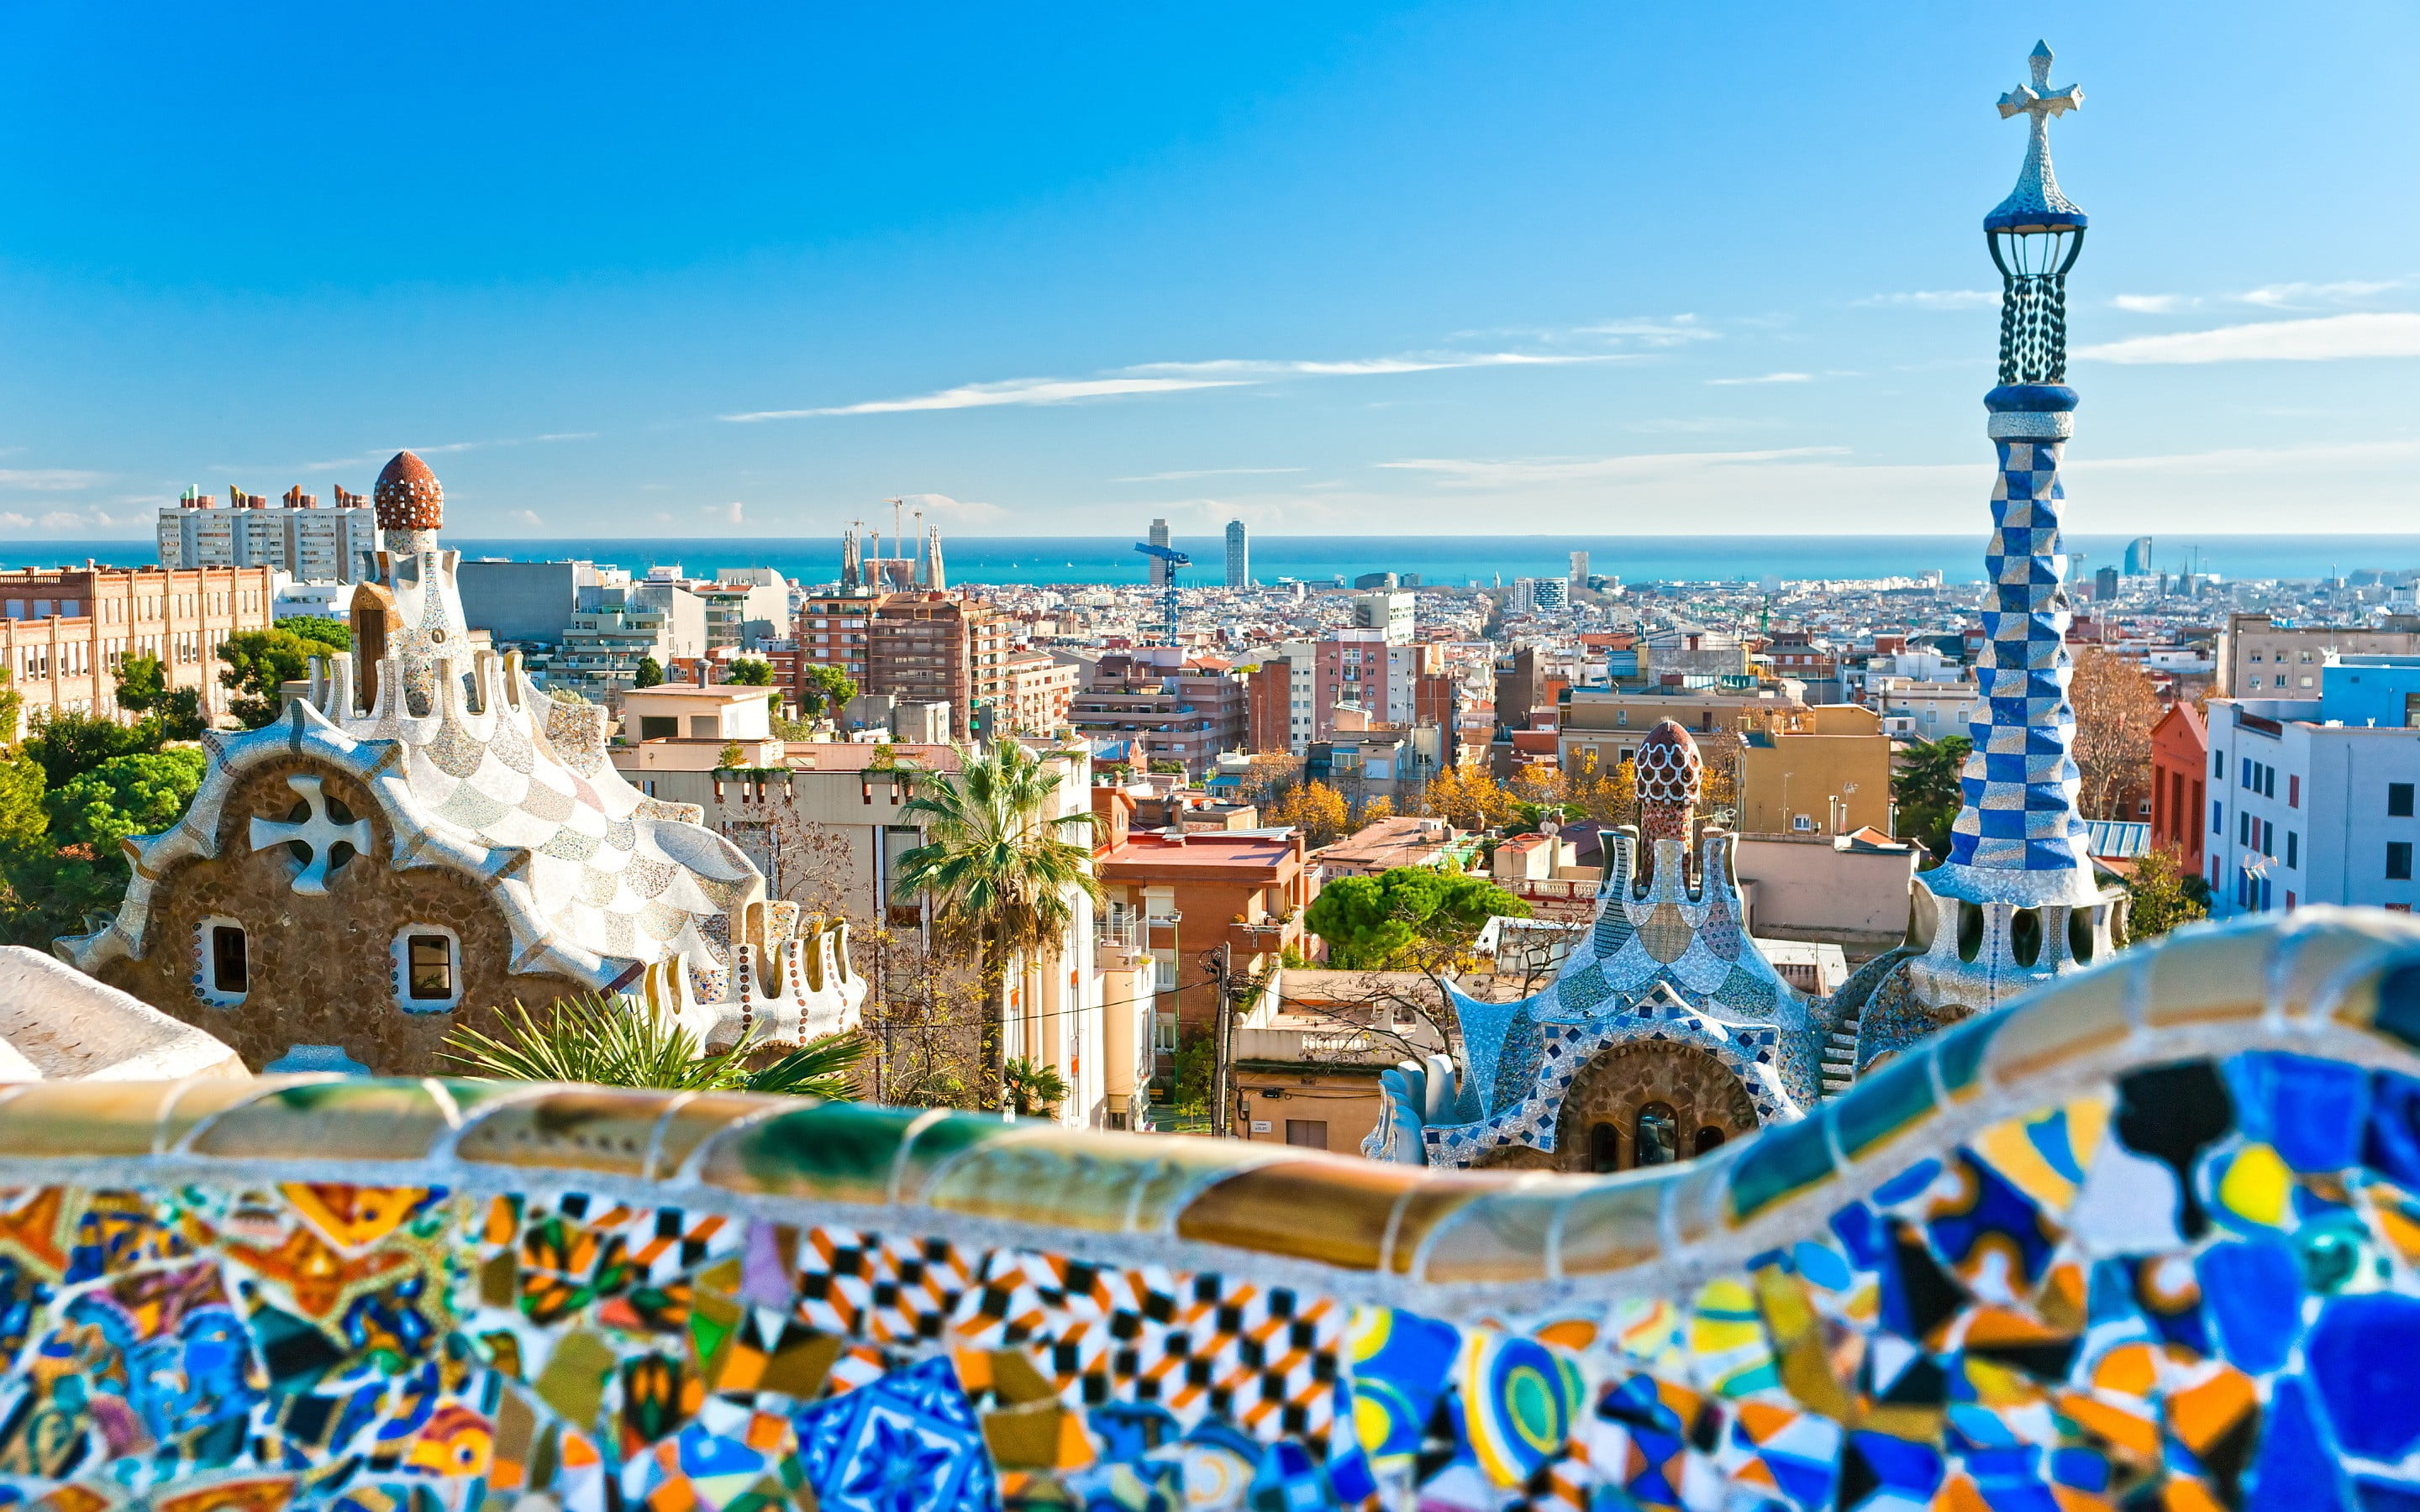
point(747, 270)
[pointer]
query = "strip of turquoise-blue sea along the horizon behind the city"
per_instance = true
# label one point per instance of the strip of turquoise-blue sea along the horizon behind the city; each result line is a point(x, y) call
point(1451, 560)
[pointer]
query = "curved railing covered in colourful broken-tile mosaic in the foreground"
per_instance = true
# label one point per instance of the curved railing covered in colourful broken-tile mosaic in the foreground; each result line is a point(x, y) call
point(2145, 1237)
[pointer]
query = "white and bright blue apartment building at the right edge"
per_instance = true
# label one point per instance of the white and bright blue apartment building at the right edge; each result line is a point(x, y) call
point(2317, 804)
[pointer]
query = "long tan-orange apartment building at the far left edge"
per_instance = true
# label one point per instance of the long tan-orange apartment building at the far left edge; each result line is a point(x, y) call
point(67, 633)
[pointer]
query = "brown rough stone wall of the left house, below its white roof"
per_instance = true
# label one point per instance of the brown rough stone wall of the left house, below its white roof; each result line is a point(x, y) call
point(323, 966)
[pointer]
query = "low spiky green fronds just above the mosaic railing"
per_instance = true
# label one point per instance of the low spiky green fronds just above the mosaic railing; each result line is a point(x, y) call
point(611, 1041)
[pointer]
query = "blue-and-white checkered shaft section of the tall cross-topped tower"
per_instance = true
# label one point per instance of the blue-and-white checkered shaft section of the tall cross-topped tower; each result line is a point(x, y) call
point(2022, 783)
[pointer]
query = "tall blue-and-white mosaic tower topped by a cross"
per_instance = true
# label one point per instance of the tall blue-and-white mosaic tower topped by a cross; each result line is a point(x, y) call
point(2017, 899)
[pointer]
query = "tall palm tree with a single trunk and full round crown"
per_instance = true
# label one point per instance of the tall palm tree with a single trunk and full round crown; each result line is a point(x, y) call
point(1001, 867)
